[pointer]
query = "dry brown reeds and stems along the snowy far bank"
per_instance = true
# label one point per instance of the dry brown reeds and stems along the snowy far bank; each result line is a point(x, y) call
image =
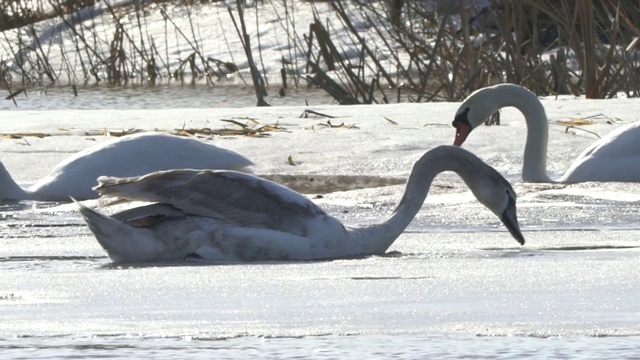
point(439, 53)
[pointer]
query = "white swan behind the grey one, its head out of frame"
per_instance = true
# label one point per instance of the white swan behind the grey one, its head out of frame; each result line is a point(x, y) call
point(129, 155)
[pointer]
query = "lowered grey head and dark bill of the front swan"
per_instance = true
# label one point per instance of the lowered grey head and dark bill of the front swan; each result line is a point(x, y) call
point(496, 193)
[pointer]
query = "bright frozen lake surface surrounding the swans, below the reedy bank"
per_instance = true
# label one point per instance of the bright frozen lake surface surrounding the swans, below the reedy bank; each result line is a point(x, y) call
point(454, 285)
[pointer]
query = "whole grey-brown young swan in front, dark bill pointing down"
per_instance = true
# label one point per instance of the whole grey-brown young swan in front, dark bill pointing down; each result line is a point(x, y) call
point(227, 216)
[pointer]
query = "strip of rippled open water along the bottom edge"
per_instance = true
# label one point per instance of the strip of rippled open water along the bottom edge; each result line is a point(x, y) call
point(323, 347)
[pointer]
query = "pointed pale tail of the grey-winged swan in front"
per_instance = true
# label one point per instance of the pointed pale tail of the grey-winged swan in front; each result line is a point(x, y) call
point(121, 241)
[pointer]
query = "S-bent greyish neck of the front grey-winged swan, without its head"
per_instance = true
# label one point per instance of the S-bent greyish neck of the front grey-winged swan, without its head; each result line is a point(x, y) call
point(376, 239)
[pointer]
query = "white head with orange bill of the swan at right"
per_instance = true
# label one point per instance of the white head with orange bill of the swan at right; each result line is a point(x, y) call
point(473, 111)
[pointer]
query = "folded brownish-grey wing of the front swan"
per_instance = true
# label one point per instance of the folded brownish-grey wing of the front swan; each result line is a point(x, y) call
point(237, 197)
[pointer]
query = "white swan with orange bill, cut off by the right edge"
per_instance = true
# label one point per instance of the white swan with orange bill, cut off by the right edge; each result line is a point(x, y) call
point(615, 157)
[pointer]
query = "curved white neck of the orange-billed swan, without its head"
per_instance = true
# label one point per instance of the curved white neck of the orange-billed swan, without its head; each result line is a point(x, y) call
point(534, 165)
